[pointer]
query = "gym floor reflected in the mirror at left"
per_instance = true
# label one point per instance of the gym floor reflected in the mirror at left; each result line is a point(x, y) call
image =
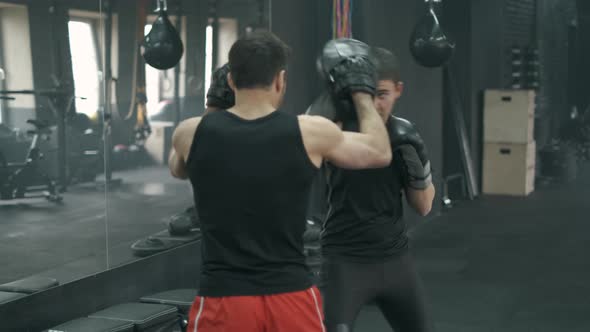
point(68, 241)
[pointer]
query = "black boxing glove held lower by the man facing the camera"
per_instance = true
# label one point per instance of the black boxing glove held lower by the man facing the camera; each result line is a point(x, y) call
point(406, 140)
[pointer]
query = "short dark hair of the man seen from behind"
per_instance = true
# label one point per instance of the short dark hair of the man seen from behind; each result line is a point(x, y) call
point(256, 59)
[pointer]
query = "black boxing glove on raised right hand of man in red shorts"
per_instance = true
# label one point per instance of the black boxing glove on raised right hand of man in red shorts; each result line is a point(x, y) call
point(353, 74)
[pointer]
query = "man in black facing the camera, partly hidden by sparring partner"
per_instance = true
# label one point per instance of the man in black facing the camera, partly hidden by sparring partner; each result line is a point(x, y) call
point(364, 240)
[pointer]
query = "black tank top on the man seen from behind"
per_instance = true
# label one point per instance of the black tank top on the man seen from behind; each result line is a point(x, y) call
point(251, 181)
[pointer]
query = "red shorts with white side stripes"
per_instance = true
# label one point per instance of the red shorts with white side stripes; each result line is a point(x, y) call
point(287, 312)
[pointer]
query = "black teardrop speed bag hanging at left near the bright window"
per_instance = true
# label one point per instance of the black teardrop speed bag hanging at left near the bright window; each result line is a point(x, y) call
point(162, 47)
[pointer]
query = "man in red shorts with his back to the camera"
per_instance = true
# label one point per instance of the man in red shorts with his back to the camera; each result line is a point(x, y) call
point(251, 167)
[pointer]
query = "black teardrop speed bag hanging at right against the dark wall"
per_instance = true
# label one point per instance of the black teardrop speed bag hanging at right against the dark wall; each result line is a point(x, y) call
point(429, 44)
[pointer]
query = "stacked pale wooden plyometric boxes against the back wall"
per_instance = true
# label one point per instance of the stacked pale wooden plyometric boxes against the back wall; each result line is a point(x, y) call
point(509, 146)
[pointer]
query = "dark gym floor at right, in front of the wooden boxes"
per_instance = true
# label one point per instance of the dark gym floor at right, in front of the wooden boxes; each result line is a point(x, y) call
point(506, 264)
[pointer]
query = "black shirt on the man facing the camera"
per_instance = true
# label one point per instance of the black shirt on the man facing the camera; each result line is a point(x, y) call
point(365, 213)
